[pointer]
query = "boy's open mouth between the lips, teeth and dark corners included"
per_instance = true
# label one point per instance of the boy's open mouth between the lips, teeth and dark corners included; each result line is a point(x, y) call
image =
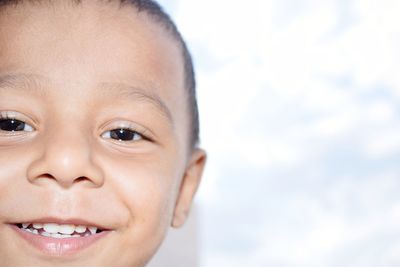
point(59, 230)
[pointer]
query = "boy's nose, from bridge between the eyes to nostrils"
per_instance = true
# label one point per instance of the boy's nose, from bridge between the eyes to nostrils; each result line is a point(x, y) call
point(66, 158)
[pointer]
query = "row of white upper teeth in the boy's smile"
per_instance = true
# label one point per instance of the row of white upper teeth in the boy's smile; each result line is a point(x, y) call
point(64, 229)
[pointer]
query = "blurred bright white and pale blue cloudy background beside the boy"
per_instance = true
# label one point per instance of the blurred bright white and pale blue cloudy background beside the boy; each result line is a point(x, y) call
point(300, 115)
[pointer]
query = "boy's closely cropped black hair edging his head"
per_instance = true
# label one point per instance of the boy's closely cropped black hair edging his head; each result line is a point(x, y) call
point(157, 13)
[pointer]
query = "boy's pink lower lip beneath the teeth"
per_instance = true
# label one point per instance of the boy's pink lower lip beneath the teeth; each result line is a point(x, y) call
point(59, 246)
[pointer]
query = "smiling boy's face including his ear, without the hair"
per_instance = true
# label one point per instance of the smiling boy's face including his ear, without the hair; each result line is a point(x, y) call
point(73, 80)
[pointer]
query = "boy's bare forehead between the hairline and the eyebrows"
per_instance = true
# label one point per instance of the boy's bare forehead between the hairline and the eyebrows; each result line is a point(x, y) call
point(91, 43)
